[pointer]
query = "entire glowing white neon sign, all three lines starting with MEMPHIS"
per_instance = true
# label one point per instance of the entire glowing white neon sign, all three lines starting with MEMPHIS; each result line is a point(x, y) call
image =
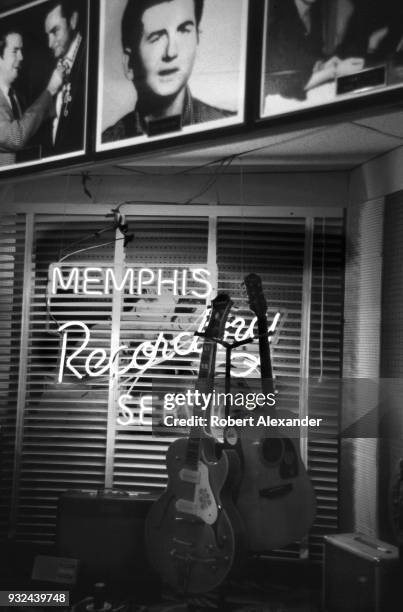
point(79, 359)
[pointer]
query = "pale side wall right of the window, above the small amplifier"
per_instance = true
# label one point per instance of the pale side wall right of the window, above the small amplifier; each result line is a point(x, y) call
point(373, 332)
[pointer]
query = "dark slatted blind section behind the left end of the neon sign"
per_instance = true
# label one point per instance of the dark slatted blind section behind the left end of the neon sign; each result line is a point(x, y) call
point(65, 423)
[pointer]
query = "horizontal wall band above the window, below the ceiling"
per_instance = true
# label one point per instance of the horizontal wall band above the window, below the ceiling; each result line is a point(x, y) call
point(327, 189)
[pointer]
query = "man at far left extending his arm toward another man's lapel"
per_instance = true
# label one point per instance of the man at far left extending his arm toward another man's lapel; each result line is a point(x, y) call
point(17, 127)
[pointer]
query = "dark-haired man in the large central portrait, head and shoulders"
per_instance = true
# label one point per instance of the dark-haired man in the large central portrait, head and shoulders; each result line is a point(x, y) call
point(160, 40)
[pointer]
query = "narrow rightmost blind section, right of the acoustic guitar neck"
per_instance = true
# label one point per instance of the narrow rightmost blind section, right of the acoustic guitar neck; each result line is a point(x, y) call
point(325, 372)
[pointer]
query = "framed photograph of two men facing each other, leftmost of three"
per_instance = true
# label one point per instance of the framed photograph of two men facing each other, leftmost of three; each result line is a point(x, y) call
point(43, 82)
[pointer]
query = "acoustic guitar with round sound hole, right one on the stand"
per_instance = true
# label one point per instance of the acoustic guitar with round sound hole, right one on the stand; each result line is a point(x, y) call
point(276, 498)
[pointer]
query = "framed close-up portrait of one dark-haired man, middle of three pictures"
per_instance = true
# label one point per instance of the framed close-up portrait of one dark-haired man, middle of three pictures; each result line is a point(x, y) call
point(169, 68)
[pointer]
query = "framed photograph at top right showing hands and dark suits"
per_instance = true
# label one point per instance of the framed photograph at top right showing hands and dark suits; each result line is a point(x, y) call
point(317, 52)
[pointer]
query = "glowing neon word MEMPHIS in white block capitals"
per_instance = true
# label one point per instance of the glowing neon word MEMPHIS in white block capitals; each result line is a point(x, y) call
point(135, 281)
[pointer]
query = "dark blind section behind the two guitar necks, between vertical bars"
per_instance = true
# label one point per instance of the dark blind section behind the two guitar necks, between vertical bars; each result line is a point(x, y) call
point(273, 249)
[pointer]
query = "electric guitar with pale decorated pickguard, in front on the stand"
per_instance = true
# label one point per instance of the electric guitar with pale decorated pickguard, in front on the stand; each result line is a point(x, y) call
point(193, 531)
